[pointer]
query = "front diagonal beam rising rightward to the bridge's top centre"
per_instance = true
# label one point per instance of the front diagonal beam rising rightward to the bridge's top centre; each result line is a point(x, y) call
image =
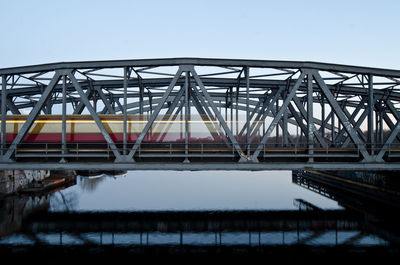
point(155, 113)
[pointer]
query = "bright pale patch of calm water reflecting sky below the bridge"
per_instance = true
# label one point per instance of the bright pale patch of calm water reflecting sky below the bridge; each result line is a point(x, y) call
point(174, 190)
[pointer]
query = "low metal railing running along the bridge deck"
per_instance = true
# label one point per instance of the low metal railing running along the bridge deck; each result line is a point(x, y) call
point(181, 149)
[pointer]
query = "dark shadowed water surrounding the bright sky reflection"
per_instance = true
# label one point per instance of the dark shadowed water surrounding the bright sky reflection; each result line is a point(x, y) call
point(364, 228)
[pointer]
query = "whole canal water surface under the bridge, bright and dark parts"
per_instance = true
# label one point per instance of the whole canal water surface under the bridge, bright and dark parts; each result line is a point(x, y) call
point(202, 210)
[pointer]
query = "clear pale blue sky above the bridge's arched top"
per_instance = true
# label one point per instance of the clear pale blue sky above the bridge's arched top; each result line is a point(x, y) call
point(348, 32)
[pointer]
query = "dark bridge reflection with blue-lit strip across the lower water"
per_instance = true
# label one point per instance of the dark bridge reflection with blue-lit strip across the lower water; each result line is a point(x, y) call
point(198, 228)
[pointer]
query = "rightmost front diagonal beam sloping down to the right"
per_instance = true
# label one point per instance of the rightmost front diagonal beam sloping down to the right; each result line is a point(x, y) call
point(342, 117)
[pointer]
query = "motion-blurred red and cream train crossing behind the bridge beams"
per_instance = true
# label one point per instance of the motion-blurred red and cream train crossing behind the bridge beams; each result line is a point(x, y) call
point(83, 129)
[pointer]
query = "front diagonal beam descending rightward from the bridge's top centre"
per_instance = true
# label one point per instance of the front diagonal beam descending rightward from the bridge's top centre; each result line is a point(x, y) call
point(218, 115)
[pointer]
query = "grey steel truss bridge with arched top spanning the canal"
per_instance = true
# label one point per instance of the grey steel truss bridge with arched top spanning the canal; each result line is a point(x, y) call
point(260, 115)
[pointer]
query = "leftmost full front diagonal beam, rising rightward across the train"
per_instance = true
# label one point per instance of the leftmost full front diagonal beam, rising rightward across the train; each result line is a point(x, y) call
point(32, 116)
